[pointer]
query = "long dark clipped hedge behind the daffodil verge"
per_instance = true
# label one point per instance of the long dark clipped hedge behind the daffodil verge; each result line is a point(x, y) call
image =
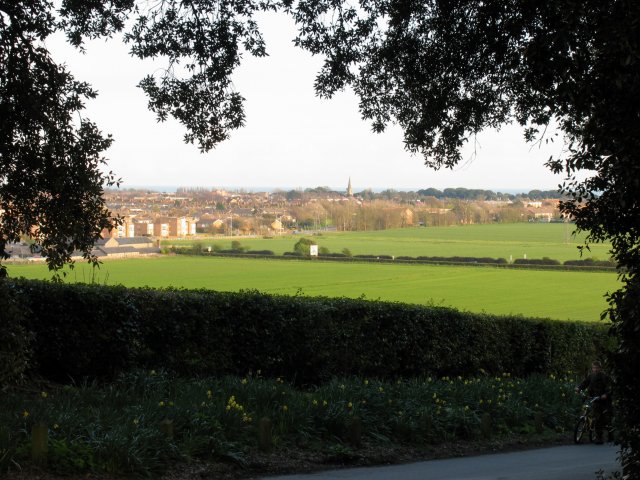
point(97, 331)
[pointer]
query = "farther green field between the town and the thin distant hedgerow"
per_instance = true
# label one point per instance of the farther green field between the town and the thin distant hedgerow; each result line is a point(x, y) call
point(535, 240)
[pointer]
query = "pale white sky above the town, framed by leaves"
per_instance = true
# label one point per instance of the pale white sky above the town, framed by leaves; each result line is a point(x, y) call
point(291, 139)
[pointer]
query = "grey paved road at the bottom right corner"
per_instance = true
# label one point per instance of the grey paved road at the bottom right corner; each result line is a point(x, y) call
point(575, 462)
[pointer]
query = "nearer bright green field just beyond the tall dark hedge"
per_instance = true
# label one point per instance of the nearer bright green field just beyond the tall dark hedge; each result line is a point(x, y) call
point(552, 294)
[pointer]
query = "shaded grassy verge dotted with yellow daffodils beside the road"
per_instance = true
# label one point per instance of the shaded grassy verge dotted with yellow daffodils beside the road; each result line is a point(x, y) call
point(150, 424)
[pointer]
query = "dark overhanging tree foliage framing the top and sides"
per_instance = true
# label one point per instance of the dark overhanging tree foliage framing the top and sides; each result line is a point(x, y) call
point(442, 70)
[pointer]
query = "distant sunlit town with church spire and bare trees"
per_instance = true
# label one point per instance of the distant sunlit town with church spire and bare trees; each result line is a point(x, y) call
point(192, 211)
